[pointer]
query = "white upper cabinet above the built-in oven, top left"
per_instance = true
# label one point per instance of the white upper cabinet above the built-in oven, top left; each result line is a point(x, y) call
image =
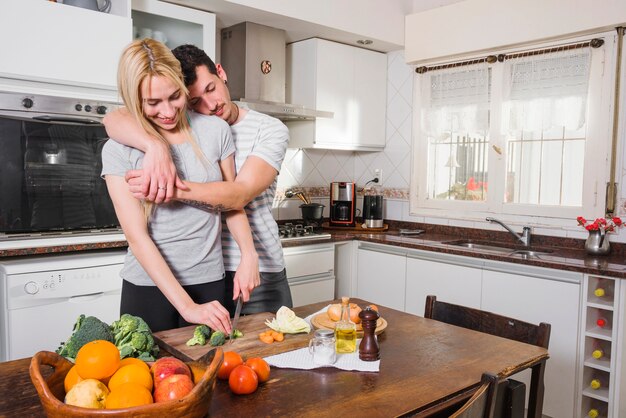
point(57, 43)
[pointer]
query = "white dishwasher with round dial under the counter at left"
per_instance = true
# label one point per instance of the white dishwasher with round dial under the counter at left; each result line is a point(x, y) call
point(42, 296)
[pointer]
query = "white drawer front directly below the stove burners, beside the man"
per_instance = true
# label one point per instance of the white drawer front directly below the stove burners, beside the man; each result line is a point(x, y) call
point(309, 260)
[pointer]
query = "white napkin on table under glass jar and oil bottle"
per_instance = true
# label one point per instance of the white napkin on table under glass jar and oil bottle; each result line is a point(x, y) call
point(303, 359)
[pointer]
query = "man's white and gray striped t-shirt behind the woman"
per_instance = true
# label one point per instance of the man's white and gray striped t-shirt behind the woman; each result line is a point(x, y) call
point(264, 137)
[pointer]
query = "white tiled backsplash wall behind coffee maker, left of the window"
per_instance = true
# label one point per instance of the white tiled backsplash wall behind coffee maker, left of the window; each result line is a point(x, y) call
point(314, 170)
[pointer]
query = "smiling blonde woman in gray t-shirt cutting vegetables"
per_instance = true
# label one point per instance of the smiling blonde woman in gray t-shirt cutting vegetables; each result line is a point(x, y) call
point(173, 273)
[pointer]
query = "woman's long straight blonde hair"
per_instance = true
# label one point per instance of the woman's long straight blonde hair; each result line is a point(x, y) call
point(141, 60)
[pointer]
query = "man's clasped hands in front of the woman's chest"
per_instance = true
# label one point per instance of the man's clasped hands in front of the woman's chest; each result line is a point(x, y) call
point(158, 178)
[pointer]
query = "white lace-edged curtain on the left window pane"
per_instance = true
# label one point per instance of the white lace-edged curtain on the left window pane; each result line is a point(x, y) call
point(455, 100)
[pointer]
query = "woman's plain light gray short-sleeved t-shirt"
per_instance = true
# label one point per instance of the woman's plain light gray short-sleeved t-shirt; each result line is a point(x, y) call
point(187, 238)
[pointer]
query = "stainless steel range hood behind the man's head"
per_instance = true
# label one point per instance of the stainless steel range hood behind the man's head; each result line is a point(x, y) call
point(255, 62)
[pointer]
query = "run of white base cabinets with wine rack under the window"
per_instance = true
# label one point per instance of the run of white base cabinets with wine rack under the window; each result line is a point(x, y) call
point(401, 278)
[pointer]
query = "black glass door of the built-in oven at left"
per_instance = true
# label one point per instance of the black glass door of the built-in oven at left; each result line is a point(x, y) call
point(50, 175)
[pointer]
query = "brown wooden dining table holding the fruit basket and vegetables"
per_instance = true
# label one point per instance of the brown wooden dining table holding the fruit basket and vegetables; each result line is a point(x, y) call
point(425, 366)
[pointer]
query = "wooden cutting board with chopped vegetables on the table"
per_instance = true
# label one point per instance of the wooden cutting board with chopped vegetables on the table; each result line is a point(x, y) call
point(249, 345)
